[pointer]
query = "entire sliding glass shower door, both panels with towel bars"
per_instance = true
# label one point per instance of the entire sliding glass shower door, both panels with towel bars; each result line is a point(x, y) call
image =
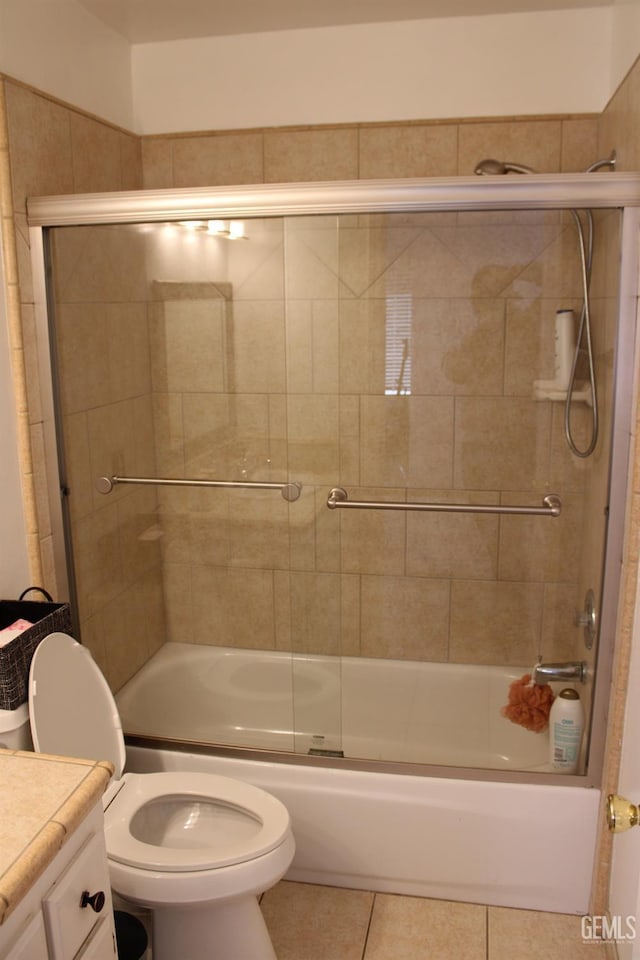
point(377, 523)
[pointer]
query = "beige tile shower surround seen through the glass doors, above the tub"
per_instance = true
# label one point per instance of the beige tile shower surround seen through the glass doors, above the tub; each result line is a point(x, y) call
point(302, 348)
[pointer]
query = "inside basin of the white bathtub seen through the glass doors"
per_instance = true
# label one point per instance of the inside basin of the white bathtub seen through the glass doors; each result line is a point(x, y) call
point(412, 711)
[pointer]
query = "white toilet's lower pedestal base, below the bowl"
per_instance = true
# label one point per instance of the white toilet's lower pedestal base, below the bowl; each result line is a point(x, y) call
point(227, 930)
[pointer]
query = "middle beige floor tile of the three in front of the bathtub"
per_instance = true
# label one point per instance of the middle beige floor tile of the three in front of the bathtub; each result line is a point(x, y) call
point(403, 928)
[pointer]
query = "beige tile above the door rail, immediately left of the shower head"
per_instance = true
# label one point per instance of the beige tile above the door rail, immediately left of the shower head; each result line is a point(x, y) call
point(414, 150)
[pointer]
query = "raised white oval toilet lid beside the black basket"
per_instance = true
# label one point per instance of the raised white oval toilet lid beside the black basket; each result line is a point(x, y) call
point(71, 708)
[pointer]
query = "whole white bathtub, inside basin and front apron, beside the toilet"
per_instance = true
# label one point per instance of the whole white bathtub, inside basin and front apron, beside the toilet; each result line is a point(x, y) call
point(478, 840)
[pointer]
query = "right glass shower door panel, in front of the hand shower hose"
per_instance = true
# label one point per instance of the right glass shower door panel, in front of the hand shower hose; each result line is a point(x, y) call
point(420, 352)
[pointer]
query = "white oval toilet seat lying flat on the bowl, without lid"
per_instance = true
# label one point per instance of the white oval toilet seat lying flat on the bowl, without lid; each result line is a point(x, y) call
point(244, 822)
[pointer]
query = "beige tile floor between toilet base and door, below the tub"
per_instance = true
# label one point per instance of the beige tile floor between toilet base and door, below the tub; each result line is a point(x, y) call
point(311, 922)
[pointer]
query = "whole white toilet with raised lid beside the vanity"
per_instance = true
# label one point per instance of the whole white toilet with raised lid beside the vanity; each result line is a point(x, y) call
point(196, 848)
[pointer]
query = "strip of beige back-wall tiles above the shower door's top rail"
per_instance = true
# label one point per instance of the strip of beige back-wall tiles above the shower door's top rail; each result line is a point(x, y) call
point(366, 152)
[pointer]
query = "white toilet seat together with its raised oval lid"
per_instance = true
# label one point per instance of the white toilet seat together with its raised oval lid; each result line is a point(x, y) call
point(73, 713)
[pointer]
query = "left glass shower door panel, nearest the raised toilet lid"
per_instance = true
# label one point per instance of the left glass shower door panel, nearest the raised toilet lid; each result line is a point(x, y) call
point(171, 366)
